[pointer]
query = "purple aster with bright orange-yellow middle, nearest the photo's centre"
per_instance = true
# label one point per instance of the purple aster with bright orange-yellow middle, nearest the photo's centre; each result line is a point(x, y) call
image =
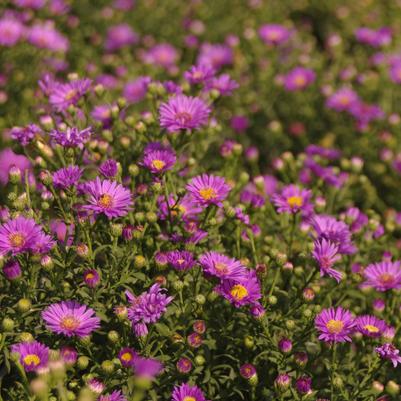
point(208, 190)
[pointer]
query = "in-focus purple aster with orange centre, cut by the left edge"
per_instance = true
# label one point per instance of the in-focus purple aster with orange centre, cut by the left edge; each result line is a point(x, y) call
point(19, 235)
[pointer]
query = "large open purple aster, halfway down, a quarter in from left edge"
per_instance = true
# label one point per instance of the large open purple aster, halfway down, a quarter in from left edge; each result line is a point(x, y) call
point(108, 197)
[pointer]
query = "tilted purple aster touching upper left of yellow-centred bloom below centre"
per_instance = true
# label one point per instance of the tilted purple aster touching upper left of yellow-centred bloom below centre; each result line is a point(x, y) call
point(221, 266)
